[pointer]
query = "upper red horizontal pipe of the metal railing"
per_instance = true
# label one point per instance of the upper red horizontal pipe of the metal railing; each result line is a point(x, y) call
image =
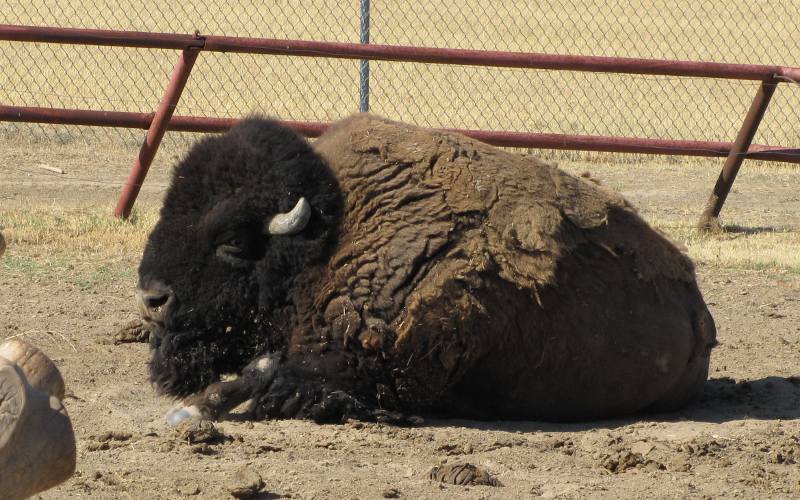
point(398, 53)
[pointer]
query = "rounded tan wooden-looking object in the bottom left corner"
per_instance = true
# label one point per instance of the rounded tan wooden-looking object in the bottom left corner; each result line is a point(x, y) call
point(37, 443)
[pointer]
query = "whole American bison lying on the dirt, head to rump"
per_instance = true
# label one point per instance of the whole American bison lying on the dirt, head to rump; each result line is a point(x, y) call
point(390, 271)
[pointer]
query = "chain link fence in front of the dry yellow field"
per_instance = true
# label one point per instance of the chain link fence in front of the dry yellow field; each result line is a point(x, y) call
point(232, 85)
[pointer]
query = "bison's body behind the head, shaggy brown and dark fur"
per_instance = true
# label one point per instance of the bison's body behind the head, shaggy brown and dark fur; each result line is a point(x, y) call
point(492, 285)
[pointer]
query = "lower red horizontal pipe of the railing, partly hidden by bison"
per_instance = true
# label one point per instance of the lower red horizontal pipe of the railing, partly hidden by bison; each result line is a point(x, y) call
point(496, 138)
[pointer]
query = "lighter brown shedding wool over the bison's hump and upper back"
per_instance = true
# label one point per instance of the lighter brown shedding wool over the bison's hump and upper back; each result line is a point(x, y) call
point(416, 197)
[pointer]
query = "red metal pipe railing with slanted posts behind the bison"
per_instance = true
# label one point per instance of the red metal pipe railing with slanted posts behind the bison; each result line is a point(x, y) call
point(191, 45)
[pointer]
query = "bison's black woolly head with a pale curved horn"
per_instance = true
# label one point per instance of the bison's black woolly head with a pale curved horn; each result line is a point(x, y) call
point(245, 213)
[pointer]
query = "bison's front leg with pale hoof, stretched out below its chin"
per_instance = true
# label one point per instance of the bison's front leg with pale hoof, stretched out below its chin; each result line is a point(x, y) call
point(221, 397)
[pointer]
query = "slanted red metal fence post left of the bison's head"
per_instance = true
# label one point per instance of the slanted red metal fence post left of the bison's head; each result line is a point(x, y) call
point(158, 126)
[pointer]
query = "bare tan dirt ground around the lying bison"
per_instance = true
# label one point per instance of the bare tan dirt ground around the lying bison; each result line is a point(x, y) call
point(742, 439)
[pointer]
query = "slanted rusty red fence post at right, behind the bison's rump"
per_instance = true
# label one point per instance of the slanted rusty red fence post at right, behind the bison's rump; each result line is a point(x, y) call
point(710, 218)
